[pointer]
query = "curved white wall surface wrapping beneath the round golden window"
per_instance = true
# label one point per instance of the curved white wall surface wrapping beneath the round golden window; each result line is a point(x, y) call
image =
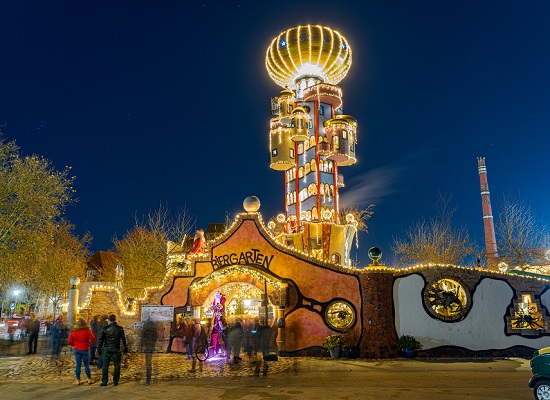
point(482, 329)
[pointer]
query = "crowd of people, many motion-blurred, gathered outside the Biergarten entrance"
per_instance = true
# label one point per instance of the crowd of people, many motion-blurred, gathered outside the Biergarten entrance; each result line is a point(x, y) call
point(101, 341)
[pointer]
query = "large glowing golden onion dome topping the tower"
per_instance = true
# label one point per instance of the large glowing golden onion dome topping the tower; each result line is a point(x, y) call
point(308, 50)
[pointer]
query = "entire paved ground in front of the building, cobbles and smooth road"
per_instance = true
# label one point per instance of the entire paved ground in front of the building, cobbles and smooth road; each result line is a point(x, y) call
point(304, 378)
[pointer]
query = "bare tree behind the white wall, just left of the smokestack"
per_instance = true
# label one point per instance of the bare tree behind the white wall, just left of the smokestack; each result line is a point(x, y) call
point(436, 240)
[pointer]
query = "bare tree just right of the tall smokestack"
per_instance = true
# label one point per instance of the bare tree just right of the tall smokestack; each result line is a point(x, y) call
point(522, 238)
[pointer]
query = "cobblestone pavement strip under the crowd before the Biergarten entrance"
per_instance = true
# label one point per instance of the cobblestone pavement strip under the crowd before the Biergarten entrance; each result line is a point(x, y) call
point(37, 368)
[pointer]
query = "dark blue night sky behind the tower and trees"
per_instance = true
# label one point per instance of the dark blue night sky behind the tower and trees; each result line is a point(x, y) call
point(169, 102)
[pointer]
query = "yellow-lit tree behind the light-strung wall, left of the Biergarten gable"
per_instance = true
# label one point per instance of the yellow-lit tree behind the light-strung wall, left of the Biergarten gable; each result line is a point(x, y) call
point(142, 252)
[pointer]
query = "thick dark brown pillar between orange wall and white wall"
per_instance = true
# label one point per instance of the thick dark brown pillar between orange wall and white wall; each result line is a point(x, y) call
point(379, 339)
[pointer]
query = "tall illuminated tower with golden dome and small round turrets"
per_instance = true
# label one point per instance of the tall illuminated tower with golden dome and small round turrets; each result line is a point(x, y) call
point(310, 138)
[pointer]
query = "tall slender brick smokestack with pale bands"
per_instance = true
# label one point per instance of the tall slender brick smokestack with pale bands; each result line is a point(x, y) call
point(488, 224)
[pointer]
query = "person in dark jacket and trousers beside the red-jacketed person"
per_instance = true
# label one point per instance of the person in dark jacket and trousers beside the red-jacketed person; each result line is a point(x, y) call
point(113, 343)
